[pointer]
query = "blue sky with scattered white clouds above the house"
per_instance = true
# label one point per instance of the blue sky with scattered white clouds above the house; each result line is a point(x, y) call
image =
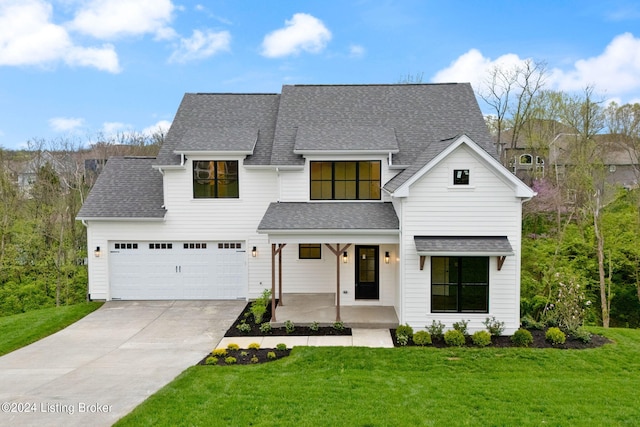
point(85, 70)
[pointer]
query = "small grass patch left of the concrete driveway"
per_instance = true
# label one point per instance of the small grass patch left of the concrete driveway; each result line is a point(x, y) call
point(22, 329)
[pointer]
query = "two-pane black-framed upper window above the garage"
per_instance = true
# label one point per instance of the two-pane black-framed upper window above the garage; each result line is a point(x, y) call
point(215, 179)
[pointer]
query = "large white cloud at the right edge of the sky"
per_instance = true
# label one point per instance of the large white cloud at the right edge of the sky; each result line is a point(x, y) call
point(615, 71)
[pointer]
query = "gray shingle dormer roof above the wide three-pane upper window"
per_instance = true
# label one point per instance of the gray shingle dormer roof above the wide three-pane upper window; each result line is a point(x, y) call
point(345, 138)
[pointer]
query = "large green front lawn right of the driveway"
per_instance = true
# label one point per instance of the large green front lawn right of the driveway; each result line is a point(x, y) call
point(346, 386)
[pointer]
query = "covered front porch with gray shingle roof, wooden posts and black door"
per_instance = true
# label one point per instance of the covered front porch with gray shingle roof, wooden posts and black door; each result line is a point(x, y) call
point(355, 282)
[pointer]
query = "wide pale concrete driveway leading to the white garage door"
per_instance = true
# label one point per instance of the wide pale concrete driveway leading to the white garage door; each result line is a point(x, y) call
point(97, 370)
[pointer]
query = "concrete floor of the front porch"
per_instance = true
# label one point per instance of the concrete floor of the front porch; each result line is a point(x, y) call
point(304, 309)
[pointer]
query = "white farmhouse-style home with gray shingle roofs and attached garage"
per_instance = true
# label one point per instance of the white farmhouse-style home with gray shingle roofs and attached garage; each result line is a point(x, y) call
point(377, 195)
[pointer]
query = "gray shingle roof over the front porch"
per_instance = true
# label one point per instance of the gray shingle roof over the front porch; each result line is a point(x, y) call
point(329, 216)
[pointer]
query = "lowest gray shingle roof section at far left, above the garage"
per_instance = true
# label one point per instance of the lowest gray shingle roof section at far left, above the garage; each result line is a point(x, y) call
point(126, 188)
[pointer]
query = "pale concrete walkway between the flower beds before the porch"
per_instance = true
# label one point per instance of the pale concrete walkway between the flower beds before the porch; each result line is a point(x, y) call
point(358, 338)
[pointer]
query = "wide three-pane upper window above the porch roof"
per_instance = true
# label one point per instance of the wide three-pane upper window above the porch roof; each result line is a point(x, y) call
point(345, 180)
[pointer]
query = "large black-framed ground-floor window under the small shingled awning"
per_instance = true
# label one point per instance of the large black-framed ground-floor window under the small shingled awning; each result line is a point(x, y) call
point(459, 284)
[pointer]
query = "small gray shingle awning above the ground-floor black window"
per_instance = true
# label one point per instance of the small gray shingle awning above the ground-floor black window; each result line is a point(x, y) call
point(441, 245)
